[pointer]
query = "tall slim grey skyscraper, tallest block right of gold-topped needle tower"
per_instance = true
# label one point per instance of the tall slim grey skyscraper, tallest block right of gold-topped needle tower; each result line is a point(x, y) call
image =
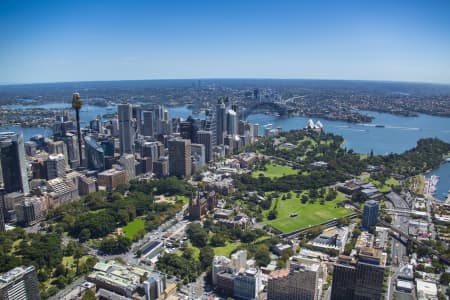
point(126, 134)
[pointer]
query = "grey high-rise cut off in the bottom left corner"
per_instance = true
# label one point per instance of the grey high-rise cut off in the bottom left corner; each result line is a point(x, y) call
point(19, 283)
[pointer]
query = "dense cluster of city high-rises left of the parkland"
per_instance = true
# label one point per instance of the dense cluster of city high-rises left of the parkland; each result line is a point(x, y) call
point(43, 173)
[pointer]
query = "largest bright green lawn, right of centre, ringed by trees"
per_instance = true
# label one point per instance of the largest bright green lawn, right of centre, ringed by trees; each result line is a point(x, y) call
point(307, 214)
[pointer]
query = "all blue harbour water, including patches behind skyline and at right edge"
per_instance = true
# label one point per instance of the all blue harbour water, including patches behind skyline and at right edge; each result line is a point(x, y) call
point(397, 133)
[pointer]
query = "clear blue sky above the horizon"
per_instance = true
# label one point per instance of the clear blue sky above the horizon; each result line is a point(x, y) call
point(50, 41)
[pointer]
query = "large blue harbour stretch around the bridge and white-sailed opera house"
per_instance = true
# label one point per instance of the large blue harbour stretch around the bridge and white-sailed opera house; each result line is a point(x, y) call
point(398, 134)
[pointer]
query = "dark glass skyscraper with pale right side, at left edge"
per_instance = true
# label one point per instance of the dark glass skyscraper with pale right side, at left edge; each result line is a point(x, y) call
point(13, 165)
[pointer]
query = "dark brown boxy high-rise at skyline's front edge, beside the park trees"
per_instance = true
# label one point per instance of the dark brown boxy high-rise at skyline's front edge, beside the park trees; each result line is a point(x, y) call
point(180, 158)
